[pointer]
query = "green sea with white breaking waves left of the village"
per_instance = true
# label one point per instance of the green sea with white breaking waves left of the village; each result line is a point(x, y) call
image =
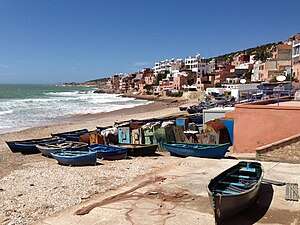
point(24, 106)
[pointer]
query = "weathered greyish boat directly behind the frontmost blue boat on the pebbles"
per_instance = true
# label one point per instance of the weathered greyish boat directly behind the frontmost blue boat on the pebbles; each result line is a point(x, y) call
point(46, 148)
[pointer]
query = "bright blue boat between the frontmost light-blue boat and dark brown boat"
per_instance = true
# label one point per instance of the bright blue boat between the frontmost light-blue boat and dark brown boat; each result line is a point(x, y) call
point(109, 152)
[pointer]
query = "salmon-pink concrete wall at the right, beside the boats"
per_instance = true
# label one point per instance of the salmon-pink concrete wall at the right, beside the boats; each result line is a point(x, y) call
point(257, 124)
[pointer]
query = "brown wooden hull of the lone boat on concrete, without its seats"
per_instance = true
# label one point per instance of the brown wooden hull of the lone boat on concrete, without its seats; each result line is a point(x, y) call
point(233, 200)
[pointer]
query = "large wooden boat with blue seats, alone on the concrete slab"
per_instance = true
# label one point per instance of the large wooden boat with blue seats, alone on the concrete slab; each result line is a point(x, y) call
point(235, 189)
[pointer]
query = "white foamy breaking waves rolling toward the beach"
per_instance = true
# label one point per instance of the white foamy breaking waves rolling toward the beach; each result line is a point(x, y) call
point(53, 106)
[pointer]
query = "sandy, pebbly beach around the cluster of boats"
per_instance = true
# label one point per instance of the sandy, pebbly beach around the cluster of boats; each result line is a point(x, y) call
point(33, 186)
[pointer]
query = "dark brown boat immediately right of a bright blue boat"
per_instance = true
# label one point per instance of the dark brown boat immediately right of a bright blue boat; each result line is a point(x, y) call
point(139, 149)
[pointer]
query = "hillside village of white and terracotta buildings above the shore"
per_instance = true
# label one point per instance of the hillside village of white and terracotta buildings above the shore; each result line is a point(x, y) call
point(170, 77)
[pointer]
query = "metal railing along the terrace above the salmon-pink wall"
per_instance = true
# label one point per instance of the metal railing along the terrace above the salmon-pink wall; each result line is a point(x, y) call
point(258, 95)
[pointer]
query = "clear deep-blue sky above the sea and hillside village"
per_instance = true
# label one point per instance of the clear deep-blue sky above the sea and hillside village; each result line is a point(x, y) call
point(70, 40)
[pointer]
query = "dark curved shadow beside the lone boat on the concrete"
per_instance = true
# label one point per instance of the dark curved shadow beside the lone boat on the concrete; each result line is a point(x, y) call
point(257, 210)
